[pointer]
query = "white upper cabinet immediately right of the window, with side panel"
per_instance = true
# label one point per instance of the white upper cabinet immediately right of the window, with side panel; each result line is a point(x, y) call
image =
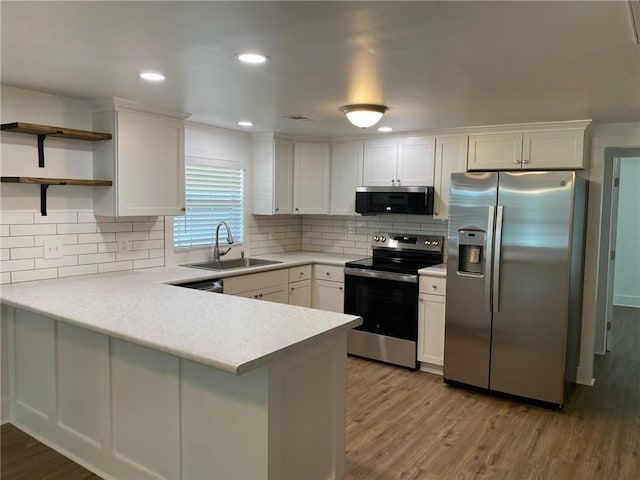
point(272, 172)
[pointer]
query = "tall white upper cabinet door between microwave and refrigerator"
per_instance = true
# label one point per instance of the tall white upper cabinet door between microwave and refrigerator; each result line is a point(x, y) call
point(451, 157)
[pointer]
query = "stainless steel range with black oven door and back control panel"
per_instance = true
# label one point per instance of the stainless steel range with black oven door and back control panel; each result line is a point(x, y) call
point(383, 290)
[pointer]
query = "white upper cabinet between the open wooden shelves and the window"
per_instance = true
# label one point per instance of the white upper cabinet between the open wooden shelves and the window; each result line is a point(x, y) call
point(145, 160)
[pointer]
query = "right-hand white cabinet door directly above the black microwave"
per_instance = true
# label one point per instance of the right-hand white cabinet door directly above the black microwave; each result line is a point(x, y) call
point(416, 161)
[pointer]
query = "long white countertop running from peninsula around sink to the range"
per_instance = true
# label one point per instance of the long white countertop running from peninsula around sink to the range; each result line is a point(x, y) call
point(231, 333)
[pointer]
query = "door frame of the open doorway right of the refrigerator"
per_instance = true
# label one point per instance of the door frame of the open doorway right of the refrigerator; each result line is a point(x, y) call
point(605, 275)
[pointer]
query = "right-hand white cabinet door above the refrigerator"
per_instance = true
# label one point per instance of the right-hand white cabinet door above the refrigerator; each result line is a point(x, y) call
point(553, 149)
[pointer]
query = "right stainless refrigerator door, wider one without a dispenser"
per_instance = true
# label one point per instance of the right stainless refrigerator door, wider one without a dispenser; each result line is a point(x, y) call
point(531, 284)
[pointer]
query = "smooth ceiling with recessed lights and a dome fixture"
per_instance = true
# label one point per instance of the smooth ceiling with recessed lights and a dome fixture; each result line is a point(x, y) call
point(435, 64)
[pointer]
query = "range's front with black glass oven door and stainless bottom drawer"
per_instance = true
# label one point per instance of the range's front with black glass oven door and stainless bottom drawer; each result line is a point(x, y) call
point(388, 305)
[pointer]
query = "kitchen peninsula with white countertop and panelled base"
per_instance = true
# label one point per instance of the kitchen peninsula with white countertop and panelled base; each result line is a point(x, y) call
point(135, 378)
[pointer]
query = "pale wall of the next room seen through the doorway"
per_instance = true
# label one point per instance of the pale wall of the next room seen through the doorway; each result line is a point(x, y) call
point(626, 290)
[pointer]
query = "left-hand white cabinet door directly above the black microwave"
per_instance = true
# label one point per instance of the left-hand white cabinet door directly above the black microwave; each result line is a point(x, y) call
point(380, 163)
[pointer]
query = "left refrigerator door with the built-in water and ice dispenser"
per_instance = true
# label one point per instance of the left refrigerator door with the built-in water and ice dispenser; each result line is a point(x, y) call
point(468, 306)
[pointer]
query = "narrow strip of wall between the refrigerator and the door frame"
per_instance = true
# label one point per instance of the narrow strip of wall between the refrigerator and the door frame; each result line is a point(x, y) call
point(595, 280)
